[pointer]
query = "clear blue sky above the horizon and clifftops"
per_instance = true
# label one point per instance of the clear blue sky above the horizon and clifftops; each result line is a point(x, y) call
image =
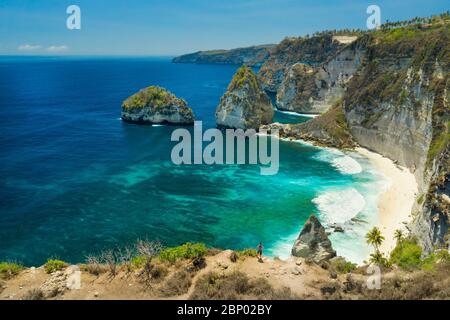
point(170, 27)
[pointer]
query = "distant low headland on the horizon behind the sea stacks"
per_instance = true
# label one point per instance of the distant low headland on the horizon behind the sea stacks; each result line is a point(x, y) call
point(251, 56)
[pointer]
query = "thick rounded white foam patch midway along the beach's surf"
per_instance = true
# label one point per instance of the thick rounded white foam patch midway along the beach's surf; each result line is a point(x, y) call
point(339, 206)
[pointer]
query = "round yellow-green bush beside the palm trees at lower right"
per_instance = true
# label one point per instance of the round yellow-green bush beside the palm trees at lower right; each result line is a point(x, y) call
point(407, 255)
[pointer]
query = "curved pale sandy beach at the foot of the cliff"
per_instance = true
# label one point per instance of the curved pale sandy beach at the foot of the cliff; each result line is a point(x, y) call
point(396, 202)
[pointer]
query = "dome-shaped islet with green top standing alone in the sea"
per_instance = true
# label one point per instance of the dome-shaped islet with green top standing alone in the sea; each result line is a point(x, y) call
point(156, 105)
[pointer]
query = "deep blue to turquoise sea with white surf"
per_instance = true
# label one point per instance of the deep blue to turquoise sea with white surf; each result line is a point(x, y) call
point(75, 179)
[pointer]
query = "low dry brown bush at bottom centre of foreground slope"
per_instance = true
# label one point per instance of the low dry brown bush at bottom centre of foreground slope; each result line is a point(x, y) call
point(236, 285)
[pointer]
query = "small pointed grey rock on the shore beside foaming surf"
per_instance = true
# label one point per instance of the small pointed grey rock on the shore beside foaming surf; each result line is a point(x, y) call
point(313, 242)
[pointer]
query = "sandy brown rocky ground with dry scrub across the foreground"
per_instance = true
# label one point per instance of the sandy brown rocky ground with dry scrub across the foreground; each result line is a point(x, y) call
point(221, 278)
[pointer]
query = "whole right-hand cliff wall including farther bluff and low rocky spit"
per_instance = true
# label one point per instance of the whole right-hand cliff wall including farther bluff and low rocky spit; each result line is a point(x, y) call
point(389, 92)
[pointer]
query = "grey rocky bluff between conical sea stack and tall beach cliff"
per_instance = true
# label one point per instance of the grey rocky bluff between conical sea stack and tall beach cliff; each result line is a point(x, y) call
point(307, 89)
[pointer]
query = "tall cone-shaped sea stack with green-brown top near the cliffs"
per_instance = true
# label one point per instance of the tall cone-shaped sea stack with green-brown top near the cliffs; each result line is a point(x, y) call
point(245, 105)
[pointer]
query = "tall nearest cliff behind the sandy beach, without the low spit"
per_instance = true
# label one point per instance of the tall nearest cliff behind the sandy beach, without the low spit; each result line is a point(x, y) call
point(397, 105)
